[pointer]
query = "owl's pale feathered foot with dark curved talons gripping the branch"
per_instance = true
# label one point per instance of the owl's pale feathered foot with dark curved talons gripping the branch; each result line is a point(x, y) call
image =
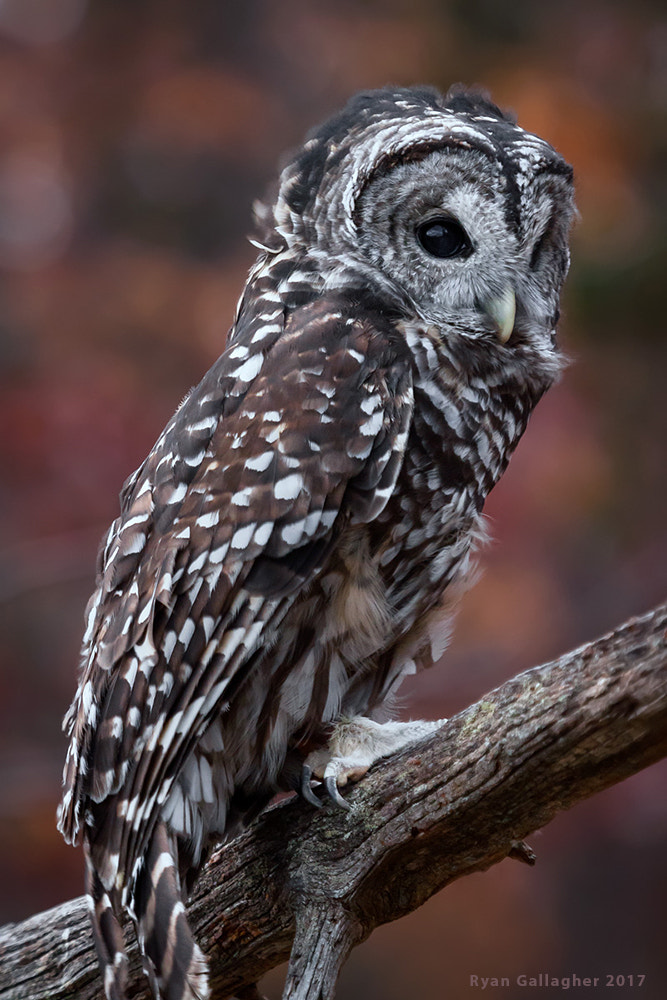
point(354, 745)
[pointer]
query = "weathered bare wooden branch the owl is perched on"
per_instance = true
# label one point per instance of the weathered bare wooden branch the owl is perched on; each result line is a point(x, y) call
point(456, 803)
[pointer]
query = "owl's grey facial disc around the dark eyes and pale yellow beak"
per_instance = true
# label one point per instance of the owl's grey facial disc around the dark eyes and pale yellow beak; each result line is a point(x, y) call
point(448, 231)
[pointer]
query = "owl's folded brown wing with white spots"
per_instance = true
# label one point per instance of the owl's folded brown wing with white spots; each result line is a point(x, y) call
point(235, 509)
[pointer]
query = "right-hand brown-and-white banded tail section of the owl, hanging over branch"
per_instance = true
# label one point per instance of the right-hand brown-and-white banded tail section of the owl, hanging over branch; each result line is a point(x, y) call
point(176, 961)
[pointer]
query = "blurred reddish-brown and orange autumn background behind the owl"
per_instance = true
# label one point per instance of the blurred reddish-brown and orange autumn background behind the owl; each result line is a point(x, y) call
point(134, 137)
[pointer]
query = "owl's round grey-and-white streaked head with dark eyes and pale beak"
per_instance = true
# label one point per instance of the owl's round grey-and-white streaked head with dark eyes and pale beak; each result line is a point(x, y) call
point(442, 205)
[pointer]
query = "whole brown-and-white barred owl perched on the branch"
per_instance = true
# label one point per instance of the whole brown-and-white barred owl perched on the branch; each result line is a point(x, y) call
point(291, 547)
